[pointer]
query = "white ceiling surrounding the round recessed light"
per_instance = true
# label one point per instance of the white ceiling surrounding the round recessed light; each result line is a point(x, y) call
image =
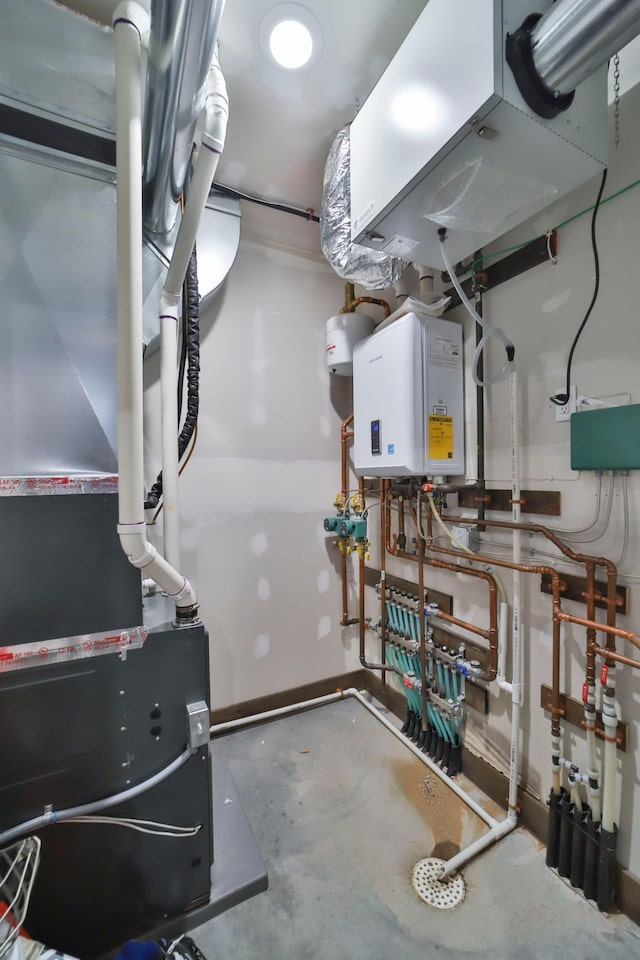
point(282, 122)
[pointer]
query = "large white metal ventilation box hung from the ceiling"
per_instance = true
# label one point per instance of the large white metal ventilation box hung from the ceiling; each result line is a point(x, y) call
point(445, 139)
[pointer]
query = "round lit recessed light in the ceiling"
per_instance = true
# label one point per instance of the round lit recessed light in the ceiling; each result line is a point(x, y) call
point(290, 36)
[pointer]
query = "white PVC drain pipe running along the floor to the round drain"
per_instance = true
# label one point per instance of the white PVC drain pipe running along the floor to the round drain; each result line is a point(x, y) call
point(497, 828)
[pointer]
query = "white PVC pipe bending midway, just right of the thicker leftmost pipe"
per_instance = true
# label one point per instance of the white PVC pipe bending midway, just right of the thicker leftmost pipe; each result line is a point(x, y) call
point(215, 115)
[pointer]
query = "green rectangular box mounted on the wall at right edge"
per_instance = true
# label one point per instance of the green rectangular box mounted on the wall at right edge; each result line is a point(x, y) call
point(606, 439)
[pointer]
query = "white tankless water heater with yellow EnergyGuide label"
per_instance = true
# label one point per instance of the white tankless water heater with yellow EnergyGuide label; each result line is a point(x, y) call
point(408, 399)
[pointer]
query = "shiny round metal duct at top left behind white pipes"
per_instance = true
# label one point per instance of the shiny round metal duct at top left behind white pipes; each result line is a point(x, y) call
point(181, 47)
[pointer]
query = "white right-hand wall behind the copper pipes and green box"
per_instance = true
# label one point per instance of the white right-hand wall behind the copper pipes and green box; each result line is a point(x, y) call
point(541, 310)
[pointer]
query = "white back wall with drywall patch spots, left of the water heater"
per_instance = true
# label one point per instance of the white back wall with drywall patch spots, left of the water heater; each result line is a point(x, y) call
point(263, 477)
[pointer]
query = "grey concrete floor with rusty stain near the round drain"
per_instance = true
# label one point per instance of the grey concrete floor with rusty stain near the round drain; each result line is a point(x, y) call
point(341, 812)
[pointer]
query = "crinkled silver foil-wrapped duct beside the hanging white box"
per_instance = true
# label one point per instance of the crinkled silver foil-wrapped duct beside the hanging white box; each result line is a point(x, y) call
point(371, 269)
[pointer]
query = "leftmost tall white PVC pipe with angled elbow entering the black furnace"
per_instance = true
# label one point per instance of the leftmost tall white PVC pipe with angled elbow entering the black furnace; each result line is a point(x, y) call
point(130, 22)
